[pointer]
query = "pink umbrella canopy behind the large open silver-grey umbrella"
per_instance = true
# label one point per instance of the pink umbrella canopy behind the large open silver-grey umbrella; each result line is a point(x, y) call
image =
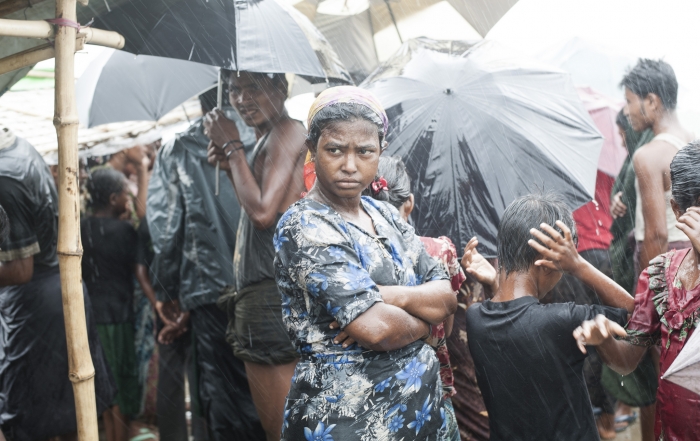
point(603, 111)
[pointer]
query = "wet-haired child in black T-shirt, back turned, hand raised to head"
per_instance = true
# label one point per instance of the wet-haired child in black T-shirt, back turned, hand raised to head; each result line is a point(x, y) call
point(528, 366)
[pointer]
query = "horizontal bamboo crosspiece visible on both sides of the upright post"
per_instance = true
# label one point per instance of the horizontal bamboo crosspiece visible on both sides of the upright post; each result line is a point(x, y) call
point(44, 30)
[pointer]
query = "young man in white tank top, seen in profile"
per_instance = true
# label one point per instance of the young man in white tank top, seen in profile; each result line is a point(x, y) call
point(651, 91)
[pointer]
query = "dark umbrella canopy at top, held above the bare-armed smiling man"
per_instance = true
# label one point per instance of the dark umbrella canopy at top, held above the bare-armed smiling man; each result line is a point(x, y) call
point(243, 35)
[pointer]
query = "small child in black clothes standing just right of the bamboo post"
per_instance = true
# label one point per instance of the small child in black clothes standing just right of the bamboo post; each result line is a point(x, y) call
point(109, 260)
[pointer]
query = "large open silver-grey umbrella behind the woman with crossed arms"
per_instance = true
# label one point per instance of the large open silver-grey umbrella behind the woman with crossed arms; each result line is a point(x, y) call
point(478, 127)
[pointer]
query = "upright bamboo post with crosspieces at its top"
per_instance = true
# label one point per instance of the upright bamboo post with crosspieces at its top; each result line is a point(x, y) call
point(81, 371)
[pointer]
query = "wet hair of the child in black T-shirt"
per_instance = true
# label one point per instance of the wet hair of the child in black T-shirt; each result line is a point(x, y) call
point(524, 213)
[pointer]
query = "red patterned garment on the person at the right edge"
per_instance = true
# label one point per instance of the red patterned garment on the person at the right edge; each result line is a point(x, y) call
point(667, 313)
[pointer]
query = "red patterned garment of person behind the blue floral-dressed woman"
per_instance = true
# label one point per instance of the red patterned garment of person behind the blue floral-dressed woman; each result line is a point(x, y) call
point(444, 251)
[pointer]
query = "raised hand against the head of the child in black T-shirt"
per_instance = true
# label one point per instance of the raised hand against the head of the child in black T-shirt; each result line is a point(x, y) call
point(559, 252)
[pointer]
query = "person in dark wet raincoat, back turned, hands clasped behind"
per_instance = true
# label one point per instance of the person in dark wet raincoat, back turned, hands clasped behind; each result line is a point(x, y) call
point(193, 241)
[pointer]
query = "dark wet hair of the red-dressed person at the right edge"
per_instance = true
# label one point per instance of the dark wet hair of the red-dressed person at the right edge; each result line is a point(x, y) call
point(685, 176)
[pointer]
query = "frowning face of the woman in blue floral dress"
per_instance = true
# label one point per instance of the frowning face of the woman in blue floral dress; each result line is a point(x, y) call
point(347, 157)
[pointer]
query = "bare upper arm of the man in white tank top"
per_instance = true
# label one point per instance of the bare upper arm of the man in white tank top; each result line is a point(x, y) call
point(649, 170)
